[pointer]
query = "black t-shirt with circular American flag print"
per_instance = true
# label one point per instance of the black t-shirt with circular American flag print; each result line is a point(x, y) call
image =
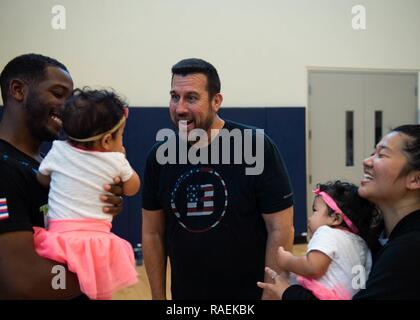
point(215, 233)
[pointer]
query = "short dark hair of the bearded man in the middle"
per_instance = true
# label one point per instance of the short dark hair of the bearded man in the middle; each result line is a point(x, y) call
point(194, 65)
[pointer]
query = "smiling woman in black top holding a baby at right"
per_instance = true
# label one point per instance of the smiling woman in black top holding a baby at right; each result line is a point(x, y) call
point(392, 182)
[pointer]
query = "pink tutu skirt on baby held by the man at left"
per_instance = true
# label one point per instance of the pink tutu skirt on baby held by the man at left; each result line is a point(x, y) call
point(103, 262)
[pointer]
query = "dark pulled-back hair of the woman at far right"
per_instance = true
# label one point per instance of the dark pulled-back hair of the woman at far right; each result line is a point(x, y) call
point(411, 147)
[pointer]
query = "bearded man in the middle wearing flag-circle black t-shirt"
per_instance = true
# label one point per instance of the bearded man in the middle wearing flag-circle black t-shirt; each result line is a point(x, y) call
point(218, 224)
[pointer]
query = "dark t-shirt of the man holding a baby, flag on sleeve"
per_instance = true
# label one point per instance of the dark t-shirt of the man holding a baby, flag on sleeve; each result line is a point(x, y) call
point(22, 198)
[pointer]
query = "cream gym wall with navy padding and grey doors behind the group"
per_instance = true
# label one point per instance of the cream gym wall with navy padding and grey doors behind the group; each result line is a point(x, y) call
point(313, 74)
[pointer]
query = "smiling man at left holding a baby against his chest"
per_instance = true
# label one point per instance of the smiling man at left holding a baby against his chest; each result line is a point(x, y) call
point(34, 89)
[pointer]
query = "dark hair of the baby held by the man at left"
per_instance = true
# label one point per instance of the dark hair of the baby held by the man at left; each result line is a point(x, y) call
point(91, 112)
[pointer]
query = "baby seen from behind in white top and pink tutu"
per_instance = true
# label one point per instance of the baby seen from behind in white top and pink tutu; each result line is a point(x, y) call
point(79, 233)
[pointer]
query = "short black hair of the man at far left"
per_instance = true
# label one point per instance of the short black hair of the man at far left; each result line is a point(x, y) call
point(29, 67)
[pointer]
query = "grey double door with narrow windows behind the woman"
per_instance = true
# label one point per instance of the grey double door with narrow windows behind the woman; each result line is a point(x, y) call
point(348, 113)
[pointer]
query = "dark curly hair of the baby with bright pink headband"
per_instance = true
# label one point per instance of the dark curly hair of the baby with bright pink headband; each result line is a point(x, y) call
point(362, 213)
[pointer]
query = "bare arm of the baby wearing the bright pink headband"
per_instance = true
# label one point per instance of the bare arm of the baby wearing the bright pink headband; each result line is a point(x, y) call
point(313, 265)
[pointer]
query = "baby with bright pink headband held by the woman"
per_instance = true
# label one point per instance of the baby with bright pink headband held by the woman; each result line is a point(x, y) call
point(341, 231)
